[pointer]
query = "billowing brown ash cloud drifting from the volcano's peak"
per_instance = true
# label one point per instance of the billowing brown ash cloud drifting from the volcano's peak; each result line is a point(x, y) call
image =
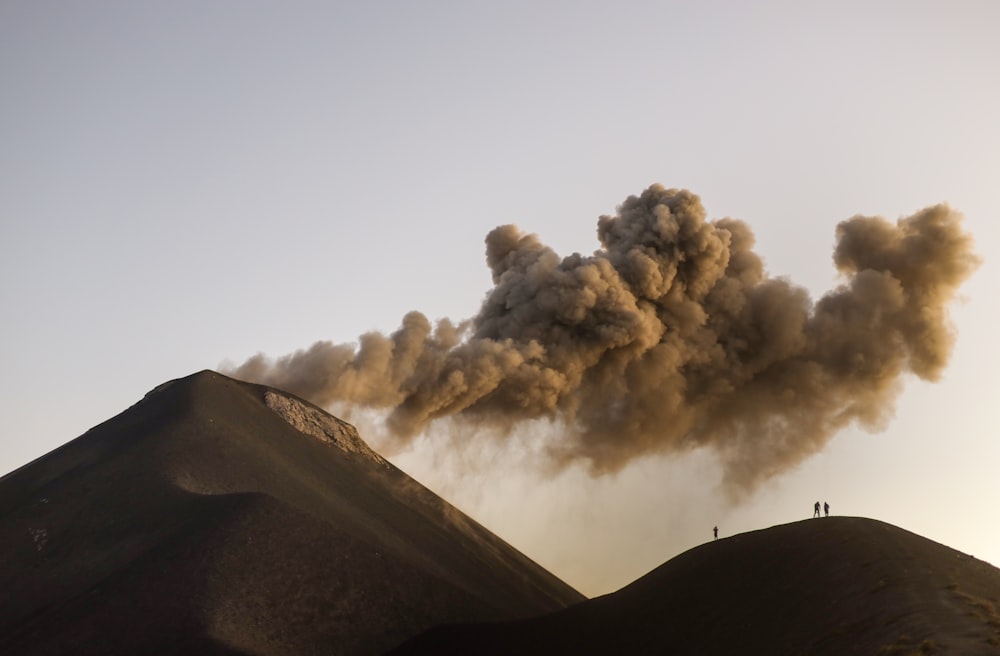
point(669, 337)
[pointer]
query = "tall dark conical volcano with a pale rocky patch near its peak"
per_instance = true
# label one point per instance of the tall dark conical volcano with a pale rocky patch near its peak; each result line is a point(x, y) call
point(220, 517)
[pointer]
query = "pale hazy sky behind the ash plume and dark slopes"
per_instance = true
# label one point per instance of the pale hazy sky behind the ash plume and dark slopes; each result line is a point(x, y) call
point(184, 185)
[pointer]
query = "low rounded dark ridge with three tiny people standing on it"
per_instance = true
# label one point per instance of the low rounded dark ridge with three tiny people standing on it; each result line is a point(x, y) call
point(829, 586)
